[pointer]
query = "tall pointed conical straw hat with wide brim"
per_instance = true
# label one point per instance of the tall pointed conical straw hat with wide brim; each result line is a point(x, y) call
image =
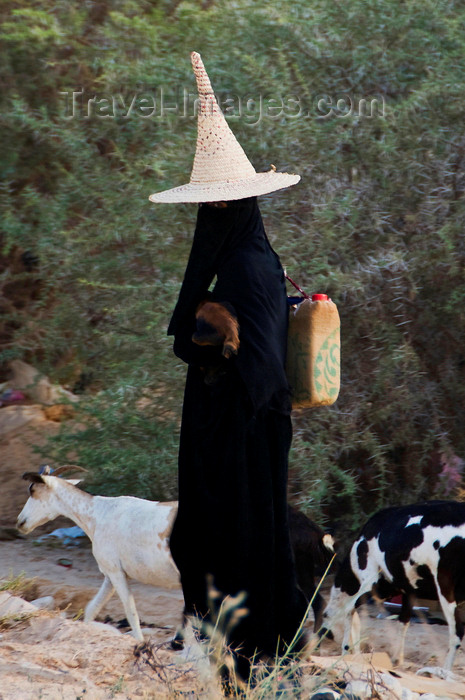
point(221, 170)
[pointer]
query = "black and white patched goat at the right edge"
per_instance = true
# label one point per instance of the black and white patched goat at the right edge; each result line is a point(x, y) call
point(416, 550)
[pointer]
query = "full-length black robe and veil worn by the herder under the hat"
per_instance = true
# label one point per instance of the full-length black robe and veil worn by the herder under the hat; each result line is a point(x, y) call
point(236, 432)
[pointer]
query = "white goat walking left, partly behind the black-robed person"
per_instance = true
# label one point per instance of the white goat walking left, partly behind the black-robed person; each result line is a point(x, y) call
point(129, 535)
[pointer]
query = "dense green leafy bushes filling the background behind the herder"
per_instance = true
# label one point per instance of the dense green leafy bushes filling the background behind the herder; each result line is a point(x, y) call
point(376, 222)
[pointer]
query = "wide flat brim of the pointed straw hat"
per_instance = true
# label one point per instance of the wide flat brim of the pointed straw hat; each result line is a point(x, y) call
point(261, 183)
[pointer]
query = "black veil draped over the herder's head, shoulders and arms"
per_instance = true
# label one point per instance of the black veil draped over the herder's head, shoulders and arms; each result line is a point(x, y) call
point(231, 243)
